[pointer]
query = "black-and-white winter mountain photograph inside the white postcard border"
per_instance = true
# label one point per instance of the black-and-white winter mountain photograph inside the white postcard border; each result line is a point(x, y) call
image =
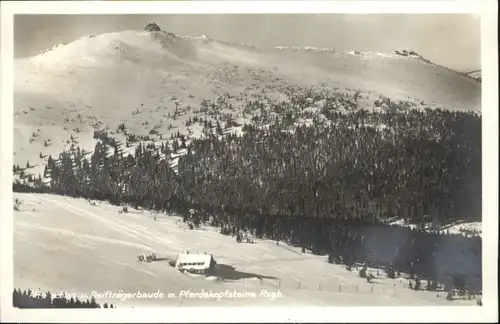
point(248, 160)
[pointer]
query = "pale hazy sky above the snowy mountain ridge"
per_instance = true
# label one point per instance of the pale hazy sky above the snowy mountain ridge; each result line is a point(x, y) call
point(452, 40)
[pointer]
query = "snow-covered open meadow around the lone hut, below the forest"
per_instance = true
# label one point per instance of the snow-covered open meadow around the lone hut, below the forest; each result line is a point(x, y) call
point(71, 245)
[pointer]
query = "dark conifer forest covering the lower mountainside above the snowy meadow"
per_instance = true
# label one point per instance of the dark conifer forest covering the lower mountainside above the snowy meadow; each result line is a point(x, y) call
point(331, 186)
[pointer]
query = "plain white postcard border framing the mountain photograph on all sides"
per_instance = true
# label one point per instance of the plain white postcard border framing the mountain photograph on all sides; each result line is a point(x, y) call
point(488, 312)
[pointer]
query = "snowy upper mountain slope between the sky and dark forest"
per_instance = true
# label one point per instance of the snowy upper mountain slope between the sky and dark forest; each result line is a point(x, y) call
point(140, 78)
